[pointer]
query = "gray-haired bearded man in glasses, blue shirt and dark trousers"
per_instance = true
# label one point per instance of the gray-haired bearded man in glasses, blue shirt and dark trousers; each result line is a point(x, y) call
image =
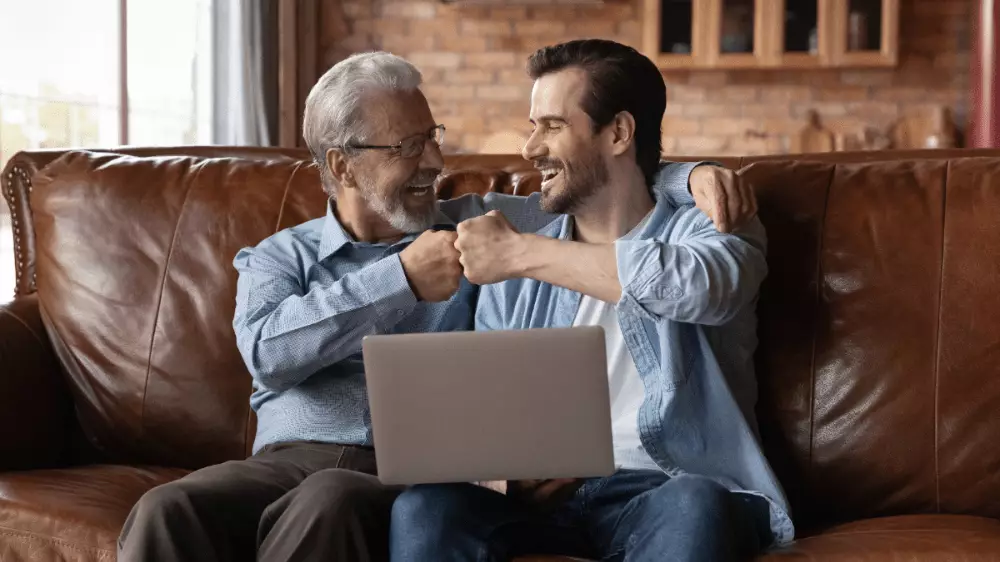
point(382, 260)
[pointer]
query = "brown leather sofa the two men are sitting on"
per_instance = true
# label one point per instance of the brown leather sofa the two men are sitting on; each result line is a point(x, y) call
point(879, 357)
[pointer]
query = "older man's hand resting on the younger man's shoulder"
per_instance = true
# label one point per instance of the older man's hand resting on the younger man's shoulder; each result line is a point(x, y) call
point(724, 195)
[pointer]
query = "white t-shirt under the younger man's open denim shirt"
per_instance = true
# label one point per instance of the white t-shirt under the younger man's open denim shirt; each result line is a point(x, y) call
point(627, 391)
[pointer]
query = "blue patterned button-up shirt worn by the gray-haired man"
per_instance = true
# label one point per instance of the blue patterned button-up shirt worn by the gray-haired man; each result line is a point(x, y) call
point(307, 295)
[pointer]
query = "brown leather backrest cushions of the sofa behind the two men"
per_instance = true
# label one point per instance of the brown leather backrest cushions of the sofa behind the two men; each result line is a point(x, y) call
point(878, 357)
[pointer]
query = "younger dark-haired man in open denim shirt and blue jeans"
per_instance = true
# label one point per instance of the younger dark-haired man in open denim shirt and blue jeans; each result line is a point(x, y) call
point(676, 299)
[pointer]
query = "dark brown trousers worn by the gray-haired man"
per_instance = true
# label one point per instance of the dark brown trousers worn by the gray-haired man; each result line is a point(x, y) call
point(290, 501)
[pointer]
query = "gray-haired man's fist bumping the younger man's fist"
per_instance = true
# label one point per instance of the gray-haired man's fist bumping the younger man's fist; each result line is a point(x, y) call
point(431, 265)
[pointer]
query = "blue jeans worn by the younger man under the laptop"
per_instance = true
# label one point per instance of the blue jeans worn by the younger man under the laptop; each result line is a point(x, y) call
point(631, 516)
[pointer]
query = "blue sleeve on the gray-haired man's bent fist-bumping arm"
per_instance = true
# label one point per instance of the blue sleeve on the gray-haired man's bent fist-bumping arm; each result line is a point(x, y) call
point(286, 333)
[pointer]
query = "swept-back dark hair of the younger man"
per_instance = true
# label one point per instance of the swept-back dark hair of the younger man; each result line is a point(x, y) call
point(621, 79)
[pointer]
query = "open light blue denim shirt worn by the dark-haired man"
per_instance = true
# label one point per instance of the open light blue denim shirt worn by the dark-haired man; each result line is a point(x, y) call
point(687, 313)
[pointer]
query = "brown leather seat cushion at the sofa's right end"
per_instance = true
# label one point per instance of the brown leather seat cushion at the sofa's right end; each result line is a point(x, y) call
point(911, 537)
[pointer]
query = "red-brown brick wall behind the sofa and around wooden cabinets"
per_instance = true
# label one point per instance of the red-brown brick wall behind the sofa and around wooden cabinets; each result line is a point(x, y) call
point(473, 63)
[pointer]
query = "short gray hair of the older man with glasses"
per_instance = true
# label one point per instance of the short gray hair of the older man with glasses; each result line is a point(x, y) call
point(334, 115)
